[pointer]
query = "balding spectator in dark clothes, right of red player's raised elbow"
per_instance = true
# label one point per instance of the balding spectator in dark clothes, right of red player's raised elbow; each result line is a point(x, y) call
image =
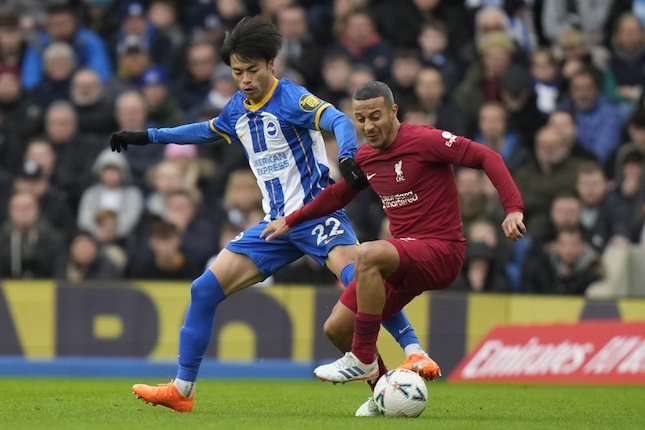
point(554, 171)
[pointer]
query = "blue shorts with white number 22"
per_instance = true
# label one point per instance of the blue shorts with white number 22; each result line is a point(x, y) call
point(315, 238)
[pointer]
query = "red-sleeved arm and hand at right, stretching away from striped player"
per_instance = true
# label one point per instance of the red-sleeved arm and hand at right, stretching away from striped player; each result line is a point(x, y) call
point(478, 156)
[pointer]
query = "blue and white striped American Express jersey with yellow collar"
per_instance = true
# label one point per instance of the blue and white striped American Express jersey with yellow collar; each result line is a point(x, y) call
point(282, 139)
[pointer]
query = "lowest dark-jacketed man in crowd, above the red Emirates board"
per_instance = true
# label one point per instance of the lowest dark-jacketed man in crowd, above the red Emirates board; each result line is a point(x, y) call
point(568, 265)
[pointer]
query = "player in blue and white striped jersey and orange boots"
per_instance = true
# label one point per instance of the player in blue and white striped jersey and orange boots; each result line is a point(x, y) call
point(278, 124)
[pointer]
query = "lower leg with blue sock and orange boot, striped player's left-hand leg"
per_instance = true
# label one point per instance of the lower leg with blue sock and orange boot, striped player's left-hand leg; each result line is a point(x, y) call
point(205, 294)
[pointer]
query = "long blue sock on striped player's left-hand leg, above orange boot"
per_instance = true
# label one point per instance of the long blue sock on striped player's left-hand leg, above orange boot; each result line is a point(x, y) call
point(205, 294)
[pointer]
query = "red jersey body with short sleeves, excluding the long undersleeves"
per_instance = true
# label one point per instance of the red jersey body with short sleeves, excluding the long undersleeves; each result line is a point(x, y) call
point(415, 180)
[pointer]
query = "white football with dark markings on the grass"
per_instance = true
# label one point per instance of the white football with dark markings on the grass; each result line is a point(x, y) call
point(401, 393)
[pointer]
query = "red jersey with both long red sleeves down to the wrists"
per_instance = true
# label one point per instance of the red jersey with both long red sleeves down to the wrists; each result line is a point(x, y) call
point(415, 179)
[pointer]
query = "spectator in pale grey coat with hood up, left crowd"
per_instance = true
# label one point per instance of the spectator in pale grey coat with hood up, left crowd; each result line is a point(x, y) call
point(112, 192)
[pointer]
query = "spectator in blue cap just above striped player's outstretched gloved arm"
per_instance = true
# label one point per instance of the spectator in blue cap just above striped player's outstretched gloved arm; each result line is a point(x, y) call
point(163, 108)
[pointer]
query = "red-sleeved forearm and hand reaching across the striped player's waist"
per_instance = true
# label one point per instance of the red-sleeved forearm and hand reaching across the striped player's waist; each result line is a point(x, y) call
point(331, 199)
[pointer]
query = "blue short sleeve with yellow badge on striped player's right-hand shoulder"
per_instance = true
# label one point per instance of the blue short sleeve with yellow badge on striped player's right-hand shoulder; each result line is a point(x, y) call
point(302, 108)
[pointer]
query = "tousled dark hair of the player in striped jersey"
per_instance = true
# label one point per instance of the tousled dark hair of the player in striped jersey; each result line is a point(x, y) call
point(252, 38)
